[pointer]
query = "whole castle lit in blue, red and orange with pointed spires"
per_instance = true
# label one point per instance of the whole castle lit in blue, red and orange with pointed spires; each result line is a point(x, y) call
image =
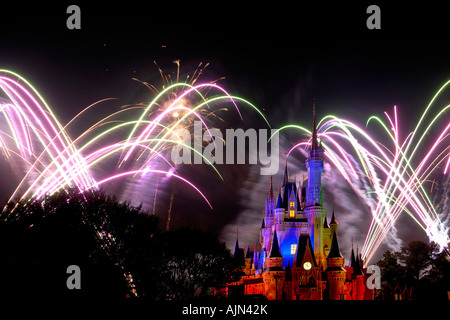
point(298, 256)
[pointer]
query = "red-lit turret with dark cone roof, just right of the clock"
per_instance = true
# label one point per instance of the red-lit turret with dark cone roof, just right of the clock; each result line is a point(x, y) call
point(335, 272)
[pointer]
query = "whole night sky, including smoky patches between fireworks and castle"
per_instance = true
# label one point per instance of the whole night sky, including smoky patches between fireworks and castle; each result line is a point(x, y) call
point(280, 57)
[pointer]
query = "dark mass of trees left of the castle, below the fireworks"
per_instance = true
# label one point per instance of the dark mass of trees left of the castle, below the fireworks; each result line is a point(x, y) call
point(120, 249)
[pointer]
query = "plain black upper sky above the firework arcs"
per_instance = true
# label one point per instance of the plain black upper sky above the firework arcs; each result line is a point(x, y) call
point(269, 49)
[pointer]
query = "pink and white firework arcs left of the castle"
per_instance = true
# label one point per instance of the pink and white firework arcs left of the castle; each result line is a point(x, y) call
point(138, 149)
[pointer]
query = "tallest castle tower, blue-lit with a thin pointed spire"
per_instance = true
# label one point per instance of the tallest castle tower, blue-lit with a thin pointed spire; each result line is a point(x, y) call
point(314, 210)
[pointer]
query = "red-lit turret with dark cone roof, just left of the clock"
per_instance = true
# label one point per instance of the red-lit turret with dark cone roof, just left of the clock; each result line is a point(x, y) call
point(274, 275)
